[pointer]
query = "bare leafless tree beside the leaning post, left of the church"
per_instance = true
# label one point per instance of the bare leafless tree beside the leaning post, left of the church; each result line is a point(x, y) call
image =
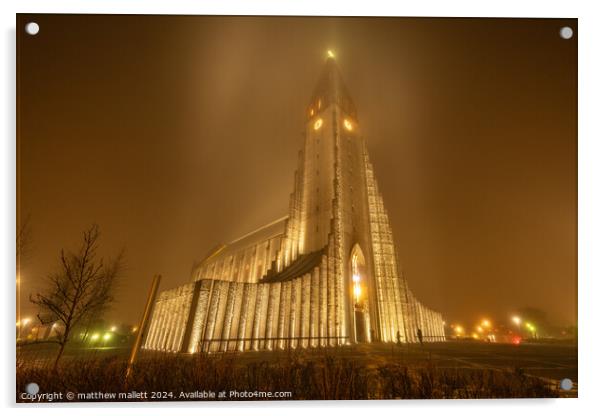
point(82, 288)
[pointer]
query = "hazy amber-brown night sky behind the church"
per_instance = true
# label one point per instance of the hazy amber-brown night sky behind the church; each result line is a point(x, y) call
point(175, 133)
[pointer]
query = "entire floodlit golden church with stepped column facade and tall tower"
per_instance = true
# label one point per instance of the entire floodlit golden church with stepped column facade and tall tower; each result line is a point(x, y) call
point(327, 274)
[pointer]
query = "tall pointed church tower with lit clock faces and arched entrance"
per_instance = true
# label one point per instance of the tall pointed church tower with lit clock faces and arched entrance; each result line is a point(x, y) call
point(336, 209)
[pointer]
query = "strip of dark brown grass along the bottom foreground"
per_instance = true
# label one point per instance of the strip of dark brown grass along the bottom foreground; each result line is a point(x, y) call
point(322, 376)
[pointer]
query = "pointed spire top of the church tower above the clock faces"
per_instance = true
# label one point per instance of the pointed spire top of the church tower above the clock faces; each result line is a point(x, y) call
point(331, 90)
